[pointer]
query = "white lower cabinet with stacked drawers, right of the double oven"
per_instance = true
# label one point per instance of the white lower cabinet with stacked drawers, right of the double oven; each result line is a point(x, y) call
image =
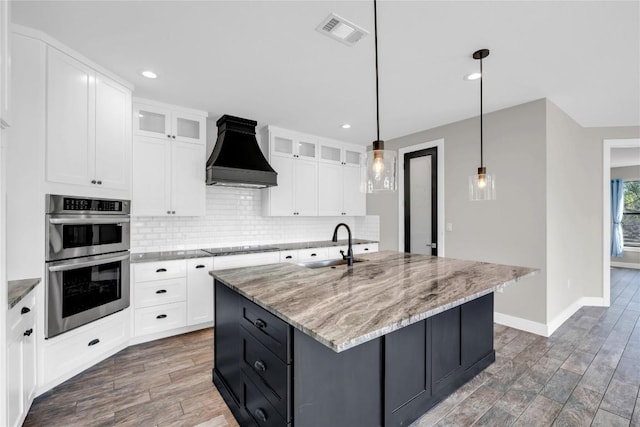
point(170, 295)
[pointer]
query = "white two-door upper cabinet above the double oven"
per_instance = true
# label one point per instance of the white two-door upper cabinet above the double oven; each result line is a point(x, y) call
point(88, 137)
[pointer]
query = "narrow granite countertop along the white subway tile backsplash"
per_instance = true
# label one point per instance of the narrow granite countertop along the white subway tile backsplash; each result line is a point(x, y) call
point(237, 250)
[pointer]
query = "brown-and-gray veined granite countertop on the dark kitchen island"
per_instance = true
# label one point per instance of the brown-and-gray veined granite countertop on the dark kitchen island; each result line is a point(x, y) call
point(342, 307)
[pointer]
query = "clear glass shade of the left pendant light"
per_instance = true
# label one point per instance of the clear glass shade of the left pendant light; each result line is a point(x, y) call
point(378, 170)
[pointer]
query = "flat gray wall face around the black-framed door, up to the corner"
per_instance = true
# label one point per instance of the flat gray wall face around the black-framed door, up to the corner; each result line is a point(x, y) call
point(510, 230)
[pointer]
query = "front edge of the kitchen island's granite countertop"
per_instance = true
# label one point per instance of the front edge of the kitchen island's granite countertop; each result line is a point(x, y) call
point(340, 347)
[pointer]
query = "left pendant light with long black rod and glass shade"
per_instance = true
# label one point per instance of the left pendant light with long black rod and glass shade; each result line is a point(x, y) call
point(378, 169)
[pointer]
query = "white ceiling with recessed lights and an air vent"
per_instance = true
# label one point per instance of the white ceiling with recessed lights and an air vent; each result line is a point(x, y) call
point(264, 60)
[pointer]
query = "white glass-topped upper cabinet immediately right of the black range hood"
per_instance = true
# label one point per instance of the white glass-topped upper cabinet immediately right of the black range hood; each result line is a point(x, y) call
point(294, 157)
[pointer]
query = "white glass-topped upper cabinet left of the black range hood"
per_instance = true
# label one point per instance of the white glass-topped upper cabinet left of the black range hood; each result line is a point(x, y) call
point(168, 172)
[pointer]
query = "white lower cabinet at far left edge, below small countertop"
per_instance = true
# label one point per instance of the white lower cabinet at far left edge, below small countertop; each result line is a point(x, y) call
point(21, 360)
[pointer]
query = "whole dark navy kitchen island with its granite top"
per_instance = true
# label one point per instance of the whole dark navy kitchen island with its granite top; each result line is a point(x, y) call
point(377, 344)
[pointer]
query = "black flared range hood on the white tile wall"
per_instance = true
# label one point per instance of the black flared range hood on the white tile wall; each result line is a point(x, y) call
point(236, 160)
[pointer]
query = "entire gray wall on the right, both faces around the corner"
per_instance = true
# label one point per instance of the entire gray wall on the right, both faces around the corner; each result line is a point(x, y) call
point(548, 212)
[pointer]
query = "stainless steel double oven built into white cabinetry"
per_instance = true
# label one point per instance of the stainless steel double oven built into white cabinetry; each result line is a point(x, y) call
point(87, 260)
